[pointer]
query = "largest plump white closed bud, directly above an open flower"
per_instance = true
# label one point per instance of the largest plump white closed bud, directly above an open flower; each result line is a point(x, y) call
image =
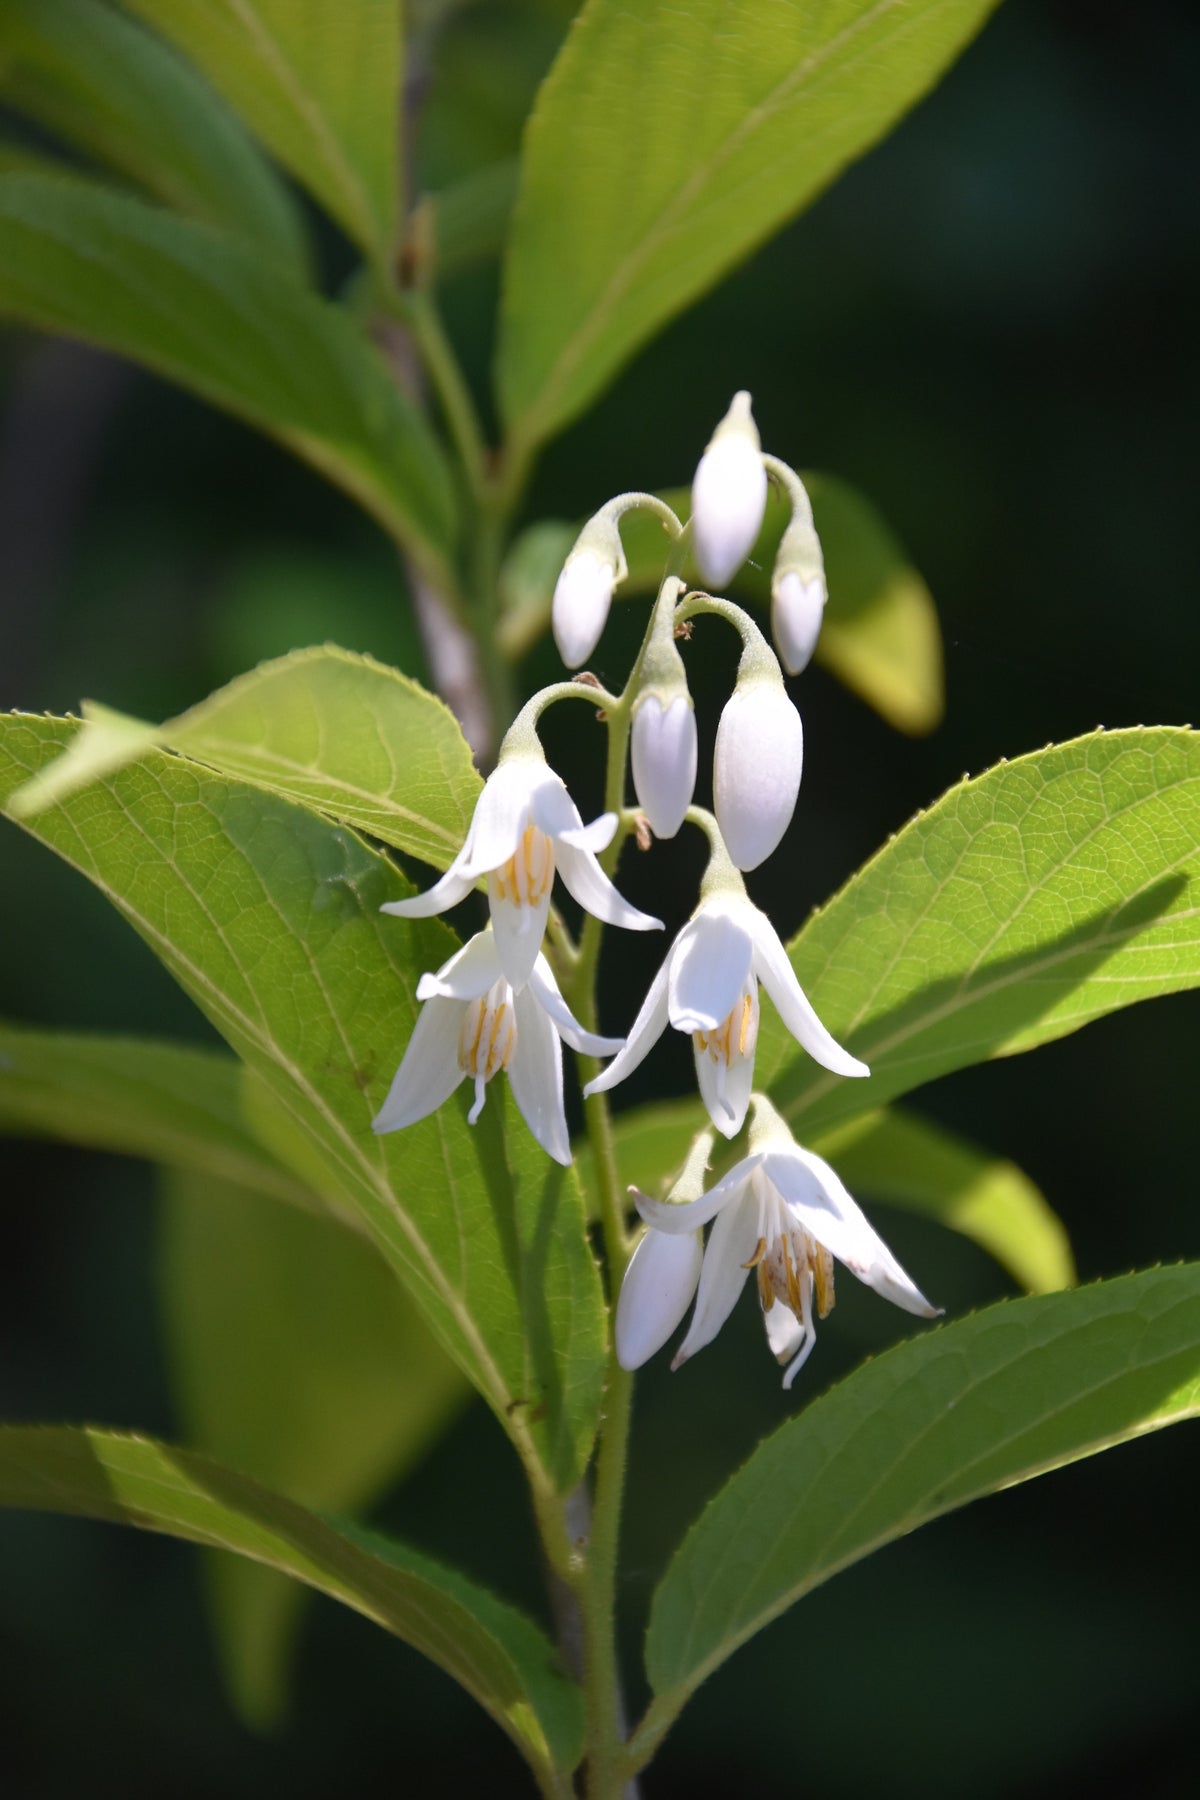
point(757, 769)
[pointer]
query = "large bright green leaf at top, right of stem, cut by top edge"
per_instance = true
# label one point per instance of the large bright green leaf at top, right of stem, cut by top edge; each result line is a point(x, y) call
point(668, 143)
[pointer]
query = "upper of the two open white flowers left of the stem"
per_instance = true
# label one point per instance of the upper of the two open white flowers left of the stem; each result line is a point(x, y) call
point(526, 825)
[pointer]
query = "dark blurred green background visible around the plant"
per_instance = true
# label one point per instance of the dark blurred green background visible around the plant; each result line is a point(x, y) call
point(989, 327)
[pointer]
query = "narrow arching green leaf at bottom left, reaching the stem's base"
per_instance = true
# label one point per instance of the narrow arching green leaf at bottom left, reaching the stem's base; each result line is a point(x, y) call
point(488, 1646)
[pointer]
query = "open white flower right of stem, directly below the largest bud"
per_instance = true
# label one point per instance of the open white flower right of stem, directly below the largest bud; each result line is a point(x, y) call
point(708, 987)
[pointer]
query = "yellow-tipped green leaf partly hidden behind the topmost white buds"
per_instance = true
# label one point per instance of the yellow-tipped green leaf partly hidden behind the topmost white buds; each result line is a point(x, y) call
point(881, 631)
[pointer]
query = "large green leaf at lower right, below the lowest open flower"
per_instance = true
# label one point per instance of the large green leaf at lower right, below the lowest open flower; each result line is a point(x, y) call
point(1017, 1390)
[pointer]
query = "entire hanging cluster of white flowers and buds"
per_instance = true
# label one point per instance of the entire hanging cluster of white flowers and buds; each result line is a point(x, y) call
point(497, 1005)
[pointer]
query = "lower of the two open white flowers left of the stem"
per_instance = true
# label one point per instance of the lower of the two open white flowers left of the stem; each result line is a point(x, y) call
point(472, 1027)
